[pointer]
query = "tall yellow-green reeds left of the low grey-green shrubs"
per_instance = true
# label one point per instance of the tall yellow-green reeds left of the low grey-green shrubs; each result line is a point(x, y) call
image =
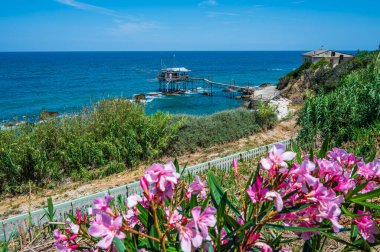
point(101, 140)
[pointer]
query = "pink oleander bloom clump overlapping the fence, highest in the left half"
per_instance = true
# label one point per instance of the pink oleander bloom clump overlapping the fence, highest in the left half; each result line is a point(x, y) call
point(164, 178)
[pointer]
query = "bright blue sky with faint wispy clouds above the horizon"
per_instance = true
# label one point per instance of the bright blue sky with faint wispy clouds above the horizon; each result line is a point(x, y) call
point(76, 25)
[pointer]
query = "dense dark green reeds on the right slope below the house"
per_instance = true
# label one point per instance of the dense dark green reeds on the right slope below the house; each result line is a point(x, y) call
point(350, 110)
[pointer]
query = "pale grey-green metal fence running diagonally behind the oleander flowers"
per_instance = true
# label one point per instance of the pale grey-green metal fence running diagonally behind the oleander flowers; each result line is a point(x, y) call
point(22, 223)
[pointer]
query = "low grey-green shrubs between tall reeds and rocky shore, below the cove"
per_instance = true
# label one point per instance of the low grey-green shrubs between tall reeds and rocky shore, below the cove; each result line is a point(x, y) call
point(222, 127)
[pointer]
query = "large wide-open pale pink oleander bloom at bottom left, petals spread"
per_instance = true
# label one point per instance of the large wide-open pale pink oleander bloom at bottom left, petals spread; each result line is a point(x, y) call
point(104, 226)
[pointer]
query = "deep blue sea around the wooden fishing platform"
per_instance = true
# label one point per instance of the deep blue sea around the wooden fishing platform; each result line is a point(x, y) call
point(67, 81)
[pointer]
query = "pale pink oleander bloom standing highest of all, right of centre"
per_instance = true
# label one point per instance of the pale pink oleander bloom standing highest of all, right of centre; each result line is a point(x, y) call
point(277, 157)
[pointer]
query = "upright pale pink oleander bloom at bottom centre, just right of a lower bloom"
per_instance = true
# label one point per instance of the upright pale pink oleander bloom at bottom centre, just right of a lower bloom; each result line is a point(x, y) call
point(202, 221)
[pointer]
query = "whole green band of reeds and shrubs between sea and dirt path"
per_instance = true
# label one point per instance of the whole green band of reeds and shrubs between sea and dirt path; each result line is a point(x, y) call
point(110, 137)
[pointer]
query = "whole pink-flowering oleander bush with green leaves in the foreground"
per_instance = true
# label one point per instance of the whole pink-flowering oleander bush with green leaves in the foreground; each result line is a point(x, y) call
point(313, 197)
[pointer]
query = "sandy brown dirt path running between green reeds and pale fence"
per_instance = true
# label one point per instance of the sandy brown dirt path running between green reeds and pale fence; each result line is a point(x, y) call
point(14, 205)
